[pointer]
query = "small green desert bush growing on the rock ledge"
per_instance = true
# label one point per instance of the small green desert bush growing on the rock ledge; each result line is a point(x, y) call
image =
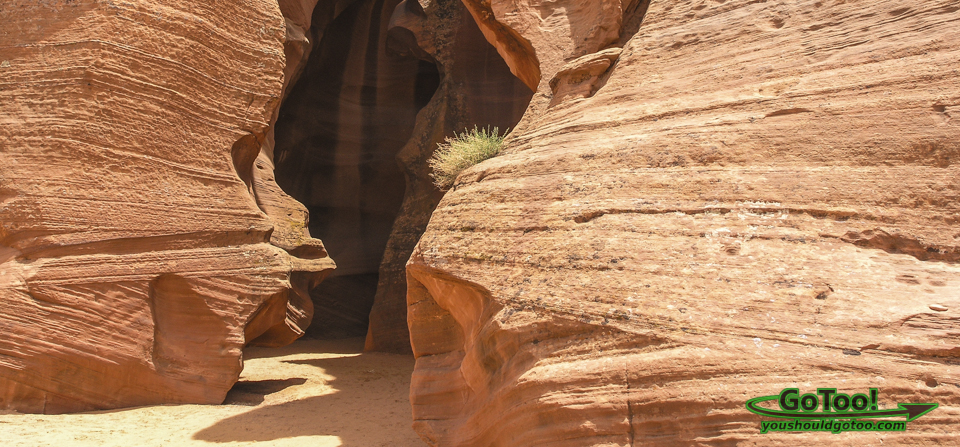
point(462, 151)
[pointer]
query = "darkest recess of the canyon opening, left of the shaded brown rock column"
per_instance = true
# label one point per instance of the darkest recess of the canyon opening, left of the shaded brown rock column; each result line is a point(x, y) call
point(337, 136)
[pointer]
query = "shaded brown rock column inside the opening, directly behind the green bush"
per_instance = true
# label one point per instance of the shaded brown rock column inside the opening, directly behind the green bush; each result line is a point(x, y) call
point(476, 88)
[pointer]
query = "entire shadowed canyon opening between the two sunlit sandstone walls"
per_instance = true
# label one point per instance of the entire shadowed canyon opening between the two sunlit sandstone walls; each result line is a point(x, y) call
point(367, 93)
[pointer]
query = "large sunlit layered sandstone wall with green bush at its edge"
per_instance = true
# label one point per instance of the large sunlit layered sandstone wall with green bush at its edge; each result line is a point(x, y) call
point(757, 195)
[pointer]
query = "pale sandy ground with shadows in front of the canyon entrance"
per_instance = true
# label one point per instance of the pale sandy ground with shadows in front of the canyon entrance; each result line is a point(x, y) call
point(314, 393)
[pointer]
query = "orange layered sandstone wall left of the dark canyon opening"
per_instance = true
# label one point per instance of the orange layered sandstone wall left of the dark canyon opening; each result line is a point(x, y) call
point(139, 249)
